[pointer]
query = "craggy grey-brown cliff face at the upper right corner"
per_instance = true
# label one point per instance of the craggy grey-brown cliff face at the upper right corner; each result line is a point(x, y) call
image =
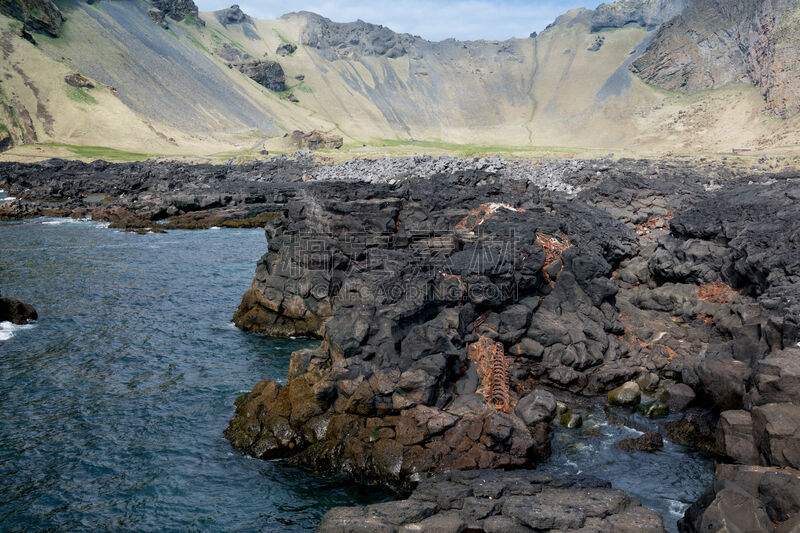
point(716, 42)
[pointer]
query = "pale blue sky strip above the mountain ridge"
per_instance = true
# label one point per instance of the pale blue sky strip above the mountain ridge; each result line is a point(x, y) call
point(432, 19)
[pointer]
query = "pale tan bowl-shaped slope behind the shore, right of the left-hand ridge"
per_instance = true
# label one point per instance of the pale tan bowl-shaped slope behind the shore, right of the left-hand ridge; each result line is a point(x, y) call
point(553, 91)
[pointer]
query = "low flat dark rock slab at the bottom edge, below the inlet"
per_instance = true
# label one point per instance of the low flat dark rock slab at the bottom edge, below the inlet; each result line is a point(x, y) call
point(486, 500)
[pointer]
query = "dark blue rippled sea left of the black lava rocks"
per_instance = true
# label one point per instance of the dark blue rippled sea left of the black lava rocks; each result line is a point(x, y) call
point(112, 406)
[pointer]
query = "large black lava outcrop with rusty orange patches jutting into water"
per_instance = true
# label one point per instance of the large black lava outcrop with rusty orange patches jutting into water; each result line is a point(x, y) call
point(443, 301)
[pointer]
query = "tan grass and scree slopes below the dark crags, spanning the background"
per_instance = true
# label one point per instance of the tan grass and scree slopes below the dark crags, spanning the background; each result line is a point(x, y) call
point(174, 96)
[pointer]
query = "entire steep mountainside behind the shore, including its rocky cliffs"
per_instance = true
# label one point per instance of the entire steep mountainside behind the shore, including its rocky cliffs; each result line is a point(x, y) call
point(172, 82)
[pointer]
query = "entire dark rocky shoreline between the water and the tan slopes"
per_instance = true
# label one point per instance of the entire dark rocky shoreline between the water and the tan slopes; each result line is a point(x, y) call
point(452, 296)
